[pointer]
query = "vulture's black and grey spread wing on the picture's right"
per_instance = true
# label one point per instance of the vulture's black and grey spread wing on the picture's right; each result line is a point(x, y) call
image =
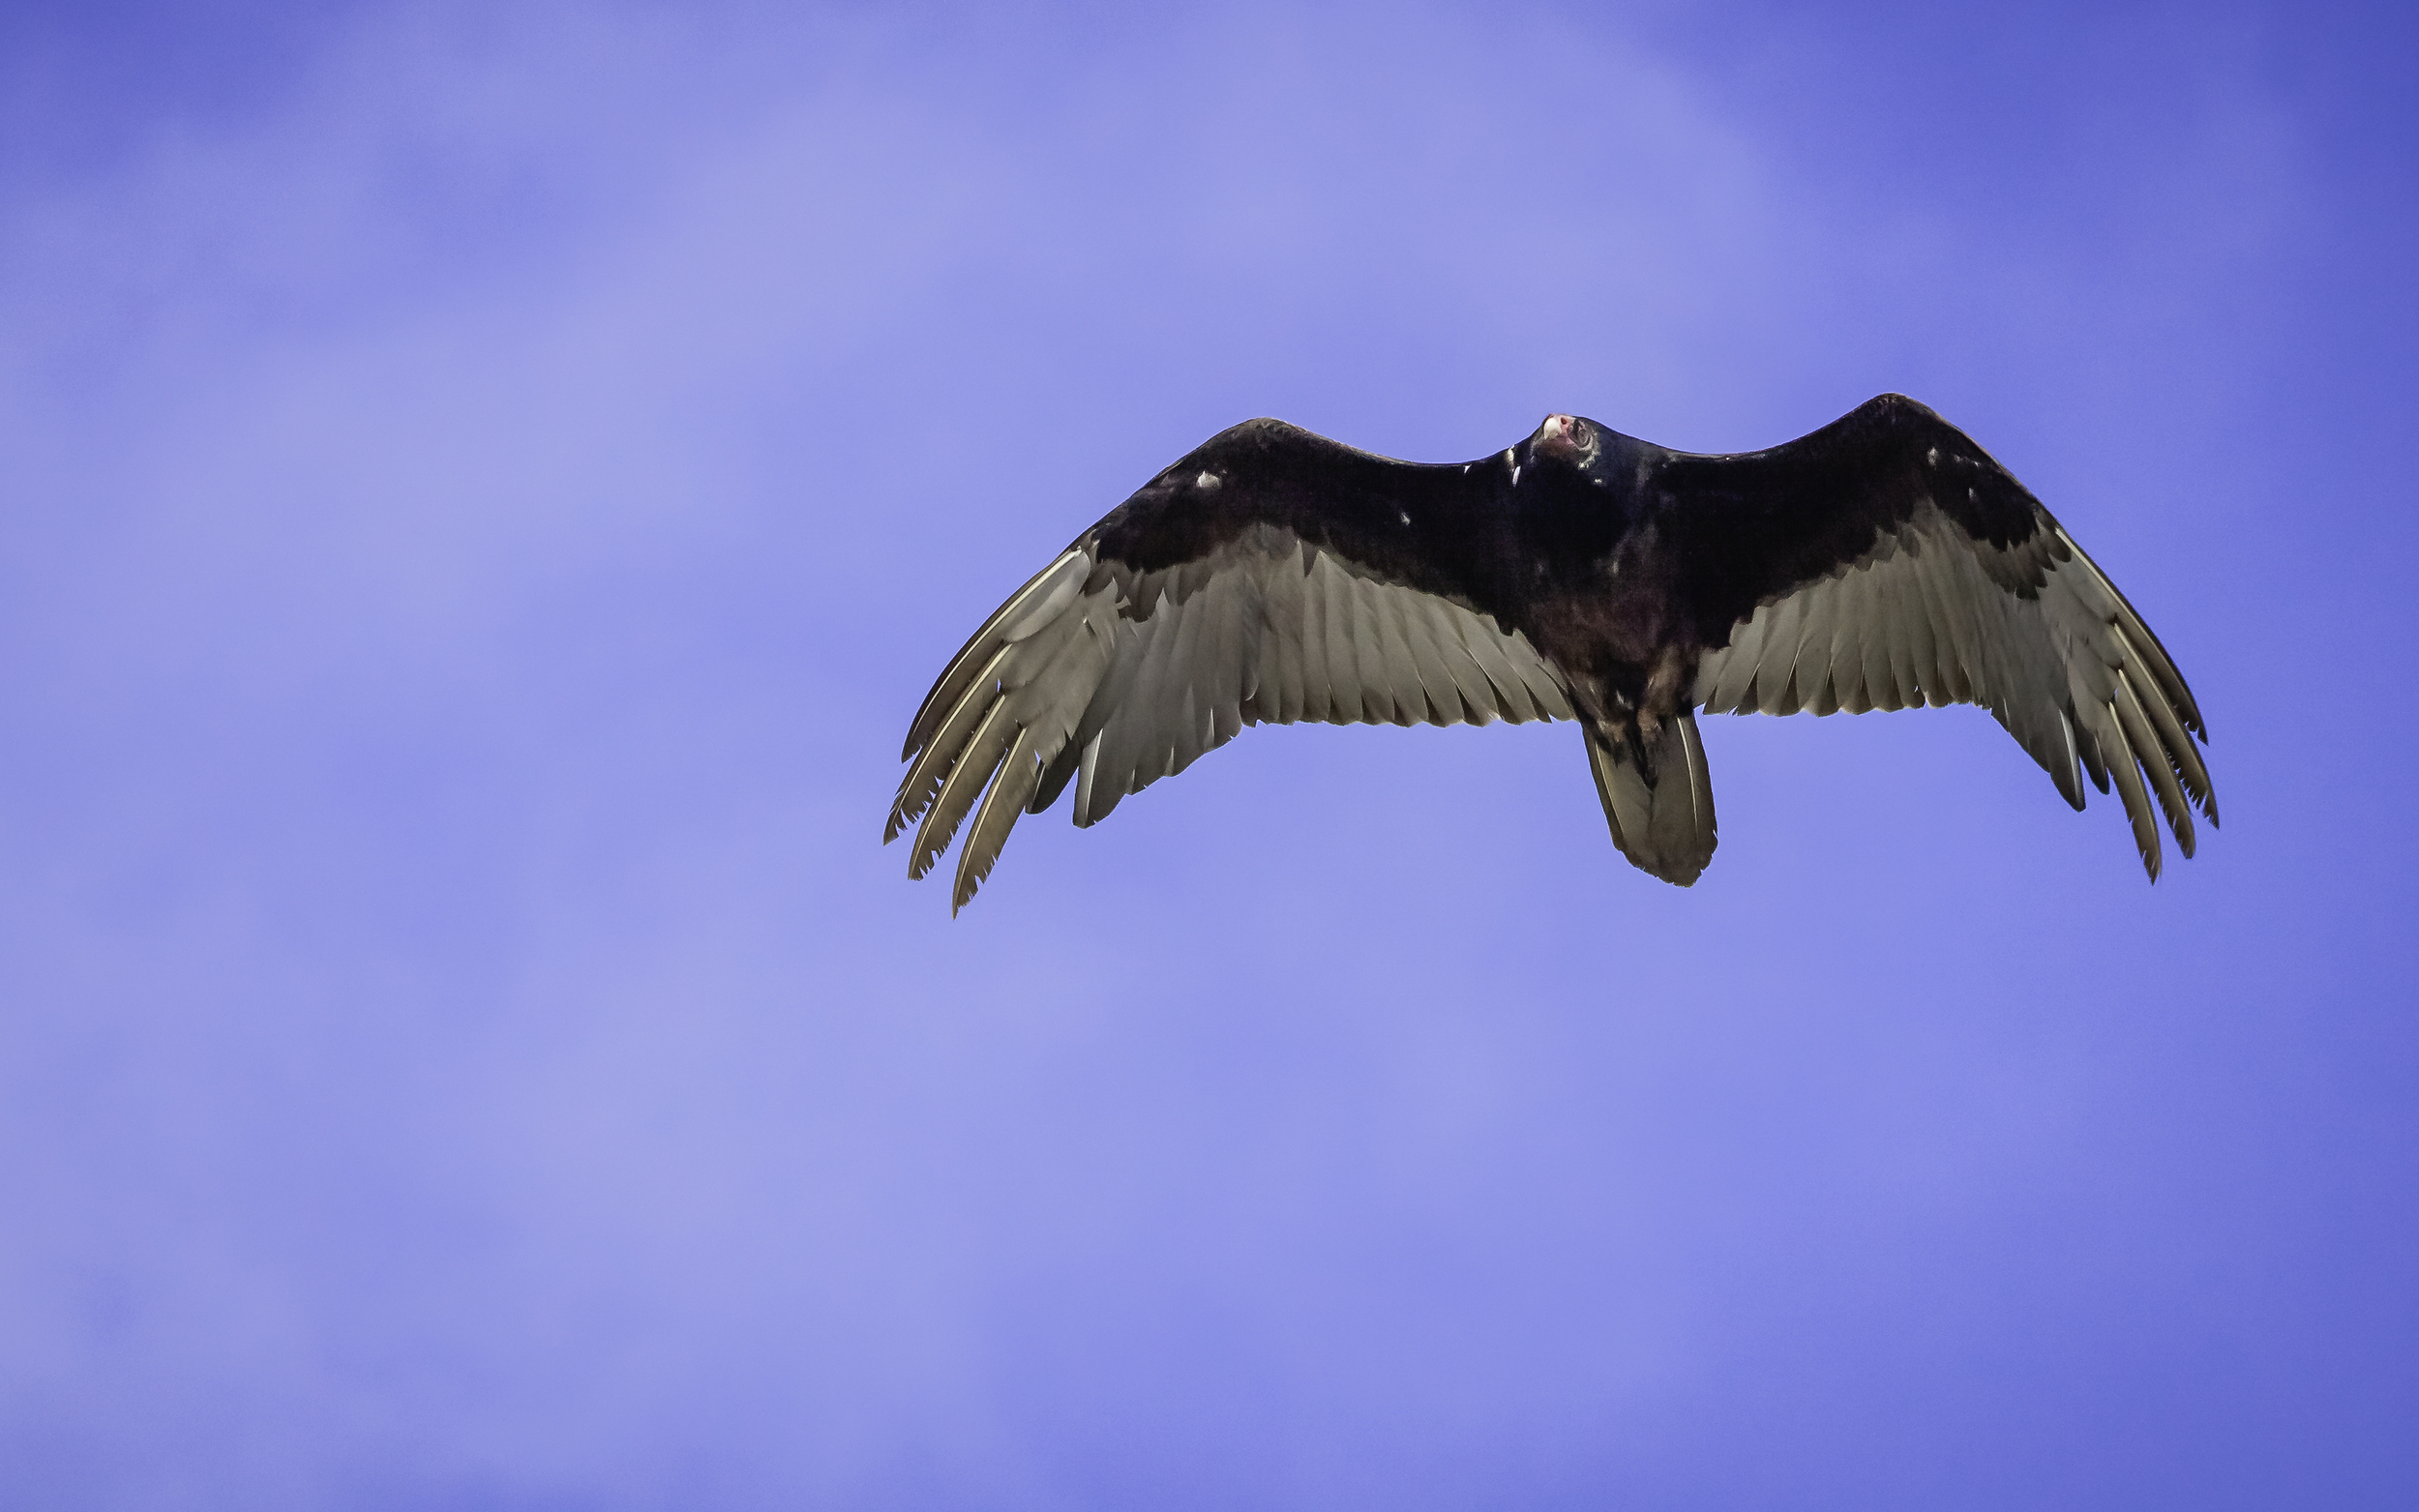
point(1888, 562)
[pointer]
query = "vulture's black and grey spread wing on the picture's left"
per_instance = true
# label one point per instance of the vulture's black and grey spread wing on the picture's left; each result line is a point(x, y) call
point(1271, 577)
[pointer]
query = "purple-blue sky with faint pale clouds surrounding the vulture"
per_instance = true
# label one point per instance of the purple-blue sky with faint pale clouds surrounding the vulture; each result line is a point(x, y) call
point(483, 492)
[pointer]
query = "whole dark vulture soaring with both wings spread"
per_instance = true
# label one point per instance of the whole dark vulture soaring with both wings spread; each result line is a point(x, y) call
point(1278, 577)
